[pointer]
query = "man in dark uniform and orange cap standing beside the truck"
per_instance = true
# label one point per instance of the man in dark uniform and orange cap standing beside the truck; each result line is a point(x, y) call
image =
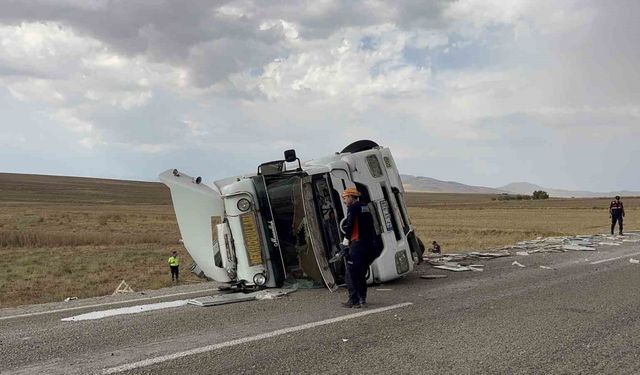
point(361, 238)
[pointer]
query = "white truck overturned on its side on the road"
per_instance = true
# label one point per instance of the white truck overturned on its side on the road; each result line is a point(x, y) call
point(282, 224)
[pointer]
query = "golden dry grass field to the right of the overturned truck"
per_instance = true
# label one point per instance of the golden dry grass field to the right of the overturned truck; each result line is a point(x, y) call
point(461, 222)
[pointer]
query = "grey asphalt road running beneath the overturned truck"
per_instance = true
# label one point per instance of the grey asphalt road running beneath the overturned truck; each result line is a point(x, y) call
point(581, 317)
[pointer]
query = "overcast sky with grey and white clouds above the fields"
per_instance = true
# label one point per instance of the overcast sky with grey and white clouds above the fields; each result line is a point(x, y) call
point(480, 92)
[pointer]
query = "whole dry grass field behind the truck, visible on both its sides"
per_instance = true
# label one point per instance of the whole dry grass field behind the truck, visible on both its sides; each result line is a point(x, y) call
point(67, 236)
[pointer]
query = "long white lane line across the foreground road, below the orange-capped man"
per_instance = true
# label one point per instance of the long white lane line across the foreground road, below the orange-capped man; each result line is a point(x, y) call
point(244, 340)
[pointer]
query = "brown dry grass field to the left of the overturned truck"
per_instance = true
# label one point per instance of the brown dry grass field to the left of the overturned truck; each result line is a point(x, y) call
point(66, 236)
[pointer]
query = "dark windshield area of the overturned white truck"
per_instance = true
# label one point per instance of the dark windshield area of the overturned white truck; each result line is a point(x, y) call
point(285, 195)
